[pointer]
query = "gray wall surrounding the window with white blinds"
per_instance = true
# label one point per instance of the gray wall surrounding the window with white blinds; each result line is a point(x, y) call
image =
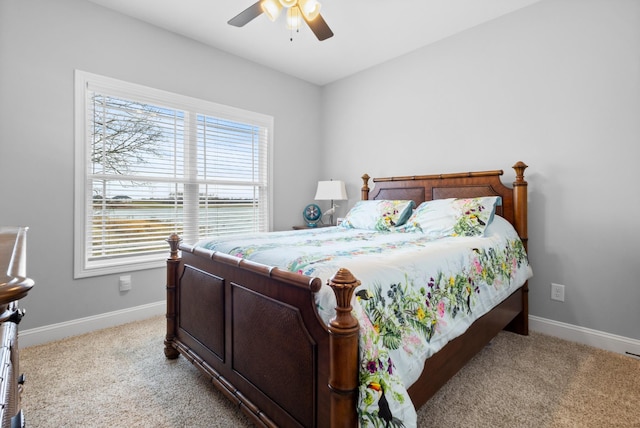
point(41, 43)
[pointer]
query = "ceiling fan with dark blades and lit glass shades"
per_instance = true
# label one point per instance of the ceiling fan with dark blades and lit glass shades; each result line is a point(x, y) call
point(297, 10)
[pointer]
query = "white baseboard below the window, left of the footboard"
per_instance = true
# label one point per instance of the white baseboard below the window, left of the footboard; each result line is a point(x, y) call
point(49, 333)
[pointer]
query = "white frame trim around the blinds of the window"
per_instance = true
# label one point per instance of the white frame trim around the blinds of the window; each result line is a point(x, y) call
point(86, 82)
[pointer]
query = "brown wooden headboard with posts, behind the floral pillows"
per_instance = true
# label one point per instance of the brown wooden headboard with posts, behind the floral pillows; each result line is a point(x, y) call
point(422, 188)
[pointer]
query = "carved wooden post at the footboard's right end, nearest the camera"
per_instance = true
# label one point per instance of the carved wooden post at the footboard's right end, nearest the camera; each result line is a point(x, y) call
point(343, 353)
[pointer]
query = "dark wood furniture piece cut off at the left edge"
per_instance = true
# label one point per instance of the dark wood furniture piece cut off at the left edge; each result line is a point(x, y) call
point(14, 285)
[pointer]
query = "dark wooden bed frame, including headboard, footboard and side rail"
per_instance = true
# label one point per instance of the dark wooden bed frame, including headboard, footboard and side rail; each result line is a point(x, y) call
point(255, 331)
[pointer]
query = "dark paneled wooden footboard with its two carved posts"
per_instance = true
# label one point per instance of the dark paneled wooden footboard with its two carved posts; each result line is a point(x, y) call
point(255, 331)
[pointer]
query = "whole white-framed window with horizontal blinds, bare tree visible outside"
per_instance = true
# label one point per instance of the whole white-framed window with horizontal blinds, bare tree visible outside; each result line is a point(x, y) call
point(150, 163)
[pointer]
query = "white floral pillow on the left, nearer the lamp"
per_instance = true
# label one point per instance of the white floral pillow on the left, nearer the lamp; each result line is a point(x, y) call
point(378, 215)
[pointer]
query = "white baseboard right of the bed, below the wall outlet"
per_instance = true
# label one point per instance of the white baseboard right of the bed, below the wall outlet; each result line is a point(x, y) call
point(597, 339)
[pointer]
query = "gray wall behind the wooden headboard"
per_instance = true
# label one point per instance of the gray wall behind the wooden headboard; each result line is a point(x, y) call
point(556, 85)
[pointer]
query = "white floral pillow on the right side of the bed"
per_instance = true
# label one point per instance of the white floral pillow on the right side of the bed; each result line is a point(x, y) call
point(453, 217)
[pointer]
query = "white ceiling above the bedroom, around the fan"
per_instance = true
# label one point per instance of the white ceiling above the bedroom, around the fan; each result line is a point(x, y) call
point(367, 32)
